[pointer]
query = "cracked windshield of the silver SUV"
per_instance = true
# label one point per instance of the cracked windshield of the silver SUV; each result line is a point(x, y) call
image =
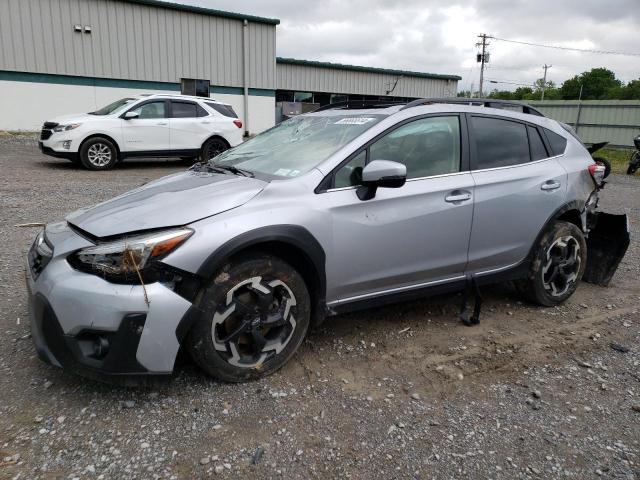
point(297, 145)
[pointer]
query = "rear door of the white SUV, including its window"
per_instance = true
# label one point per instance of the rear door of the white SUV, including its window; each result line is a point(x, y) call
point(190, 125)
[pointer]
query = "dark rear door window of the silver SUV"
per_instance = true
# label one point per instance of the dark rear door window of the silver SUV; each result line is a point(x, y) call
point(499, 143)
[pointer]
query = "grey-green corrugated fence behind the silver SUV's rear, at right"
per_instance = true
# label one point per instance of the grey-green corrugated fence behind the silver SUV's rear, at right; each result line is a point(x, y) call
point(613, 121)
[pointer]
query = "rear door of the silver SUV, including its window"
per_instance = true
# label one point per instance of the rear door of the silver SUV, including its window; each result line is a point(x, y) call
point(518, 186)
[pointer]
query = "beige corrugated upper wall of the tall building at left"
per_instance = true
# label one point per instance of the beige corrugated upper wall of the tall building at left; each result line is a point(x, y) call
point(133, 42)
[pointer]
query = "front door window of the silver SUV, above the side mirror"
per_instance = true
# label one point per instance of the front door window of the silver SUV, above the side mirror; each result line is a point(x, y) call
point(427, 147)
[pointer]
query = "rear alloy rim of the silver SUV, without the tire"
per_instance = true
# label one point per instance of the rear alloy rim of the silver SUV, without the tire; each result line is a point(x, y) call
point(562, 265)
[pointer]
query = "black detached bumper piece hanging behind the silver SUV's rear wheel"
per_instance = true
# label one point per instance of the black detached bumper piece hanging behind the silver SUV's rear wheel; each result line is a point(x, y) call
point(607, 244)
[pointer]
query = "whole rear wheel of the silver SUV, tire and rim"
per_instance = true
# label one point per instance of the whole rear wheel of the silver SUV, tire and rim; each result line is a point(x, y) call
point(559, 260)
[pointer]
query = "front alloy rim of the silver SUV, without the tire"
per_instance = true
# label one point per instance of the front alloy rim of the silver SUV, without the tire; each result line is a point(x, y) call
point(256, 322)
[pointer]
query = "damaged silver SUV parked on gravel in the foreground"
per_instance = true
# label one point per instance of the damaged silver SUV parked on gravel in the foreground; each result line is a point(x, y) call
point(332, 211)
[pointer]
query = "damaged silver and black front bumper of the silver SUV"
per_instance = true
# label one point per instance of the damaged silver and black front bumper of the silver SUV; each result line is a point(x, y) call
point(96, 328)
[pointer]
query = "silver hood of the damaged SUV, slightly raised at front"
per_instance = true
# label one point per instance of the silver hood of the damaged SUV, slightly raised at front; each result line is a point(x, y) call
point(171, 201)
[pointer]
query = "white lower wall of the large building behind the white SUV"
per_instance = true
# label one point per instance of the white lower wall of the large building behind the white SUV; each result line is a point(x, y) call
point(27, 105)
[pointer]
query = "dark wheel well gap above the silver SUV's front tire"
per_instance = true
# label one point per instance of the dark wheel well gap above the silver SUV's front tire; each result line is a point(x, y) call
point(298, 259)
